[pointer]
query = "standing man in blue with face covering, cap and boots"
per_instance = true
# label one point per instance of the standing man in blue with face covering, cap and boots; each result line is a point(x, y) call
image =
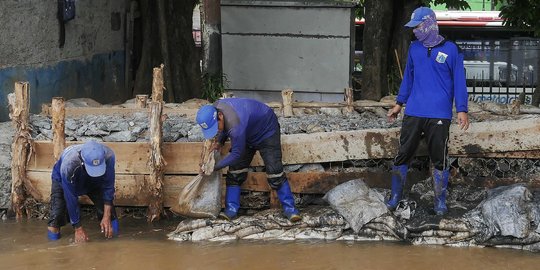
point(434, 79)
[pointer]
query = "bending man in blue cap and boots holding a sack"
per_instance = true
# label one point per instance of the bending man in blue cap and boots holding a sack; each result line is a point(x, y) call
point(251, 126)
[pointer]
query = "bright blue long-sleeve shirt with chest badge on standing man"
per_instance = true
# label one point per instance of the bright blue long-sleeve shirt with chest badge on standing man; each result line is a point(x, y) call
point(434, 78)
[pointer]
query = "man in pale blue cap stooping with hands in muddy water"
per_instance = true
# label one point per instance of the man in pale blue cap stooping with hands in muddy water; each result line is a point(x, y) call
point(83, 169)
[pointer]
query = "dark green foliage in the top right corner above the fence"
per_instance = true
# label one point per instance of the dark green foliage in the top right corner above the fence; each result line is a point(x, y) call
point(521, 14)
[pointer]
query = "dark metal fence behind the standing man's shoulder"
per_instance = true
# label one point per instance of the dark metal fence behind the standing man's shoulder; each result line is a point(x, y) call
point(501, 70)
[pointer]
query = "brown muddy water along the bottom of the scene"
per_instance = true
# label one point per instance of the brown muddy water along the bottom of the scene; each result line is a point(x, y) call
point(143, 246)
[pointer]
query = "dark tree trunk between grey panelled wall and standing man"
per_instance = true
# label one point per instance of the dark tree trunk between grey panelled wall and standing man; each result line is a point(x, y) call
point(377, 37)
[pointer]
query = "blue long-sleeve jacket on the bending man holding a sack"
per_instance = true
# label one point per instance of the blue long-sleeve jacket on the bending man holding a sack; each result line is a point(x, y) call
point(247, 123)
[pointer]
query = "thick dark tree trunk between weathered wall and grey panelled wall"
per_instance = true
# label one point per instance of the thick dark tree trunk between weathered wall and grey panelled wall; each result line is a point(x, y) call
point(185, 77)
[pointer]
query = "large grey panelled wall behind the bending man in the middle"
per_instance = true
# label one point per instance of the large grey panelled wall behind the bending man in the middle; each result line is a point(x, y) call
point(267, 48)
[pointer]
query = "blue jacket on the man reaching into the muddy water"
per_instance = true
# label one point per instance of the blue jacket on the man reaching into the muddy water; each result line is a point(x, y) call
point(70, 173)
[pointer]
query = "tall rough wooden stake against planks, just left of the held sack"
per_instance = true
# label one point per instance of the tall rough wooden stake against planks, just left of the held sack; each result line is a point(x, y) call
point(156, 162)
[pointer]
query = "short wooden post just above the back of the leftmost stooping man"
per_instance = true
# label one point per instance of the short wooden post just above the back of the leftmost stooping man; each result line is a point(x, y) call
point(58, 126)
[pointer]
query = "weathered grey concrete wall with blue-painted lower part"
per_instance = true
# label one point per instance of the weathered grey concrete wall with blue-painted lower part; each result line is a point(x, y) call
point(91, 64)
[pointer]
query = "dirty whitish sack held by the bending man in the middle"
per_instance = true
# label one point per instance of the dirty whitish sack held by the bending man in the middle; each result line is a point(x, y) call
point(201, 197)
